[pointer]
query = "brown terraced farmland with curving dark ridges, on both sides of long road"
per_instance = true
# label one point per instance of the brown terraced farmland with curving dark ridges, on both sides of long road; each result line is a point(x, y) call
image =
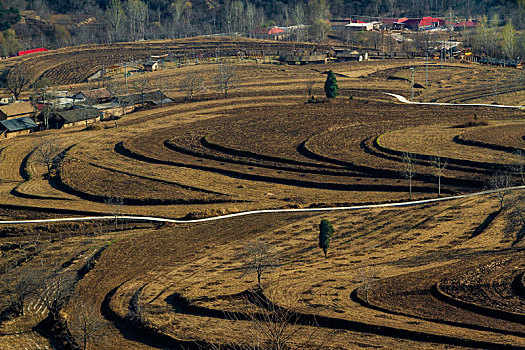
point(428, 276)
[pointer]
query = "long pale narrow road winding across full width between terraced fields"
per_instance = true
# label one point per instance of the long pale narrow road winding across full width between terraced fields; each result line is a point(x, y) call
point(265, 211)
